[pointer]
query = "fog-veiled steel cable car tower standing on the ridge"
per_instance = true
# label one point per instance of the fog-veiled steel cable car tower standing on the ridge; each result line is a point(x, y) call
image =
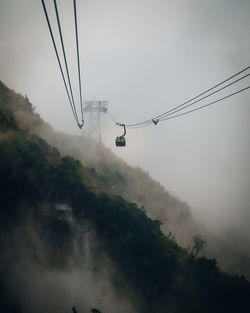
point(95, 108)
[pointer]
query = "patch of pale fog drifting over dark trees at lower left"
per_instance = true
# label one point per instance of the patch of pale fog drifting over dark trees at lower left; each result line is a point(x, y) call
point(38, 286)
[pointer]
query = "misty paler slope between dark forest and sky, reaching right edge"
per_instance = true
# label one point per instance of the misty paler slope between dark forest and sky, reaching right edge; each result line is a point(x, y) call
point(112, 175)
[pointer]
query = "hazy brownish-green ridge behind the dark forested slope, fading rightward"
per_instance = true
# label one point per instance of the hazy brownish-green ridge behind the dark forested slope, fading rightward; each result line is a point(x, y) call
point(110, 173)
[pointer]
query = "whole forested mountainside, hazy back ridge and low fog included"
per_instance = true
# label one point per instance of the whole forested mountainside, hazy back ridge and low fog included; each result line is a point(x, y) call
point(72, 232)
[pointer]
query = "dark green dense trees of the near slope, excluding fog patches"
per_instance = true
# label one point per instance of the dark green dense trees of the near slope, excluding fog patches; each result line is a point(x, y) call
point(35, 178)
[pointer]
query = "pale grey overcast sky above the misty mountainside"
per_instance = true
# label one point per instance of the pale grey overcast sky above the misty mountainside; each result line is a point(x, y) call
point(146, 56)
